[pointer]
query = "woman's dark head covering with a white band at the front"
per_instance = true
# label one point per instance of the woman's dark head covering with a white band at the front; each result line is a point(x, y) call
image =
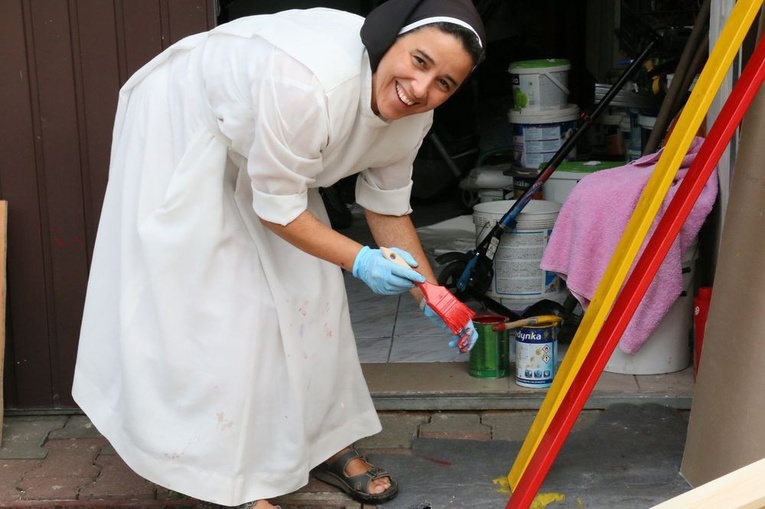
point(383, 24)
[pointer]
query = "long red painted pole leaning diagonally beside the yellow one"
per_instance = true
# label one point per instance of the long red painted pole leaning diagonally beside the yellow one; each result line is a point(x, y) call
point(648, 264)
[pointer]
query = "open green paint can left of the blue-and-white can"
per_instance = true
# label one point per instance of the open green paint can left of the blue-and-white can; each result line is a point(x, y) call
point(490, 356)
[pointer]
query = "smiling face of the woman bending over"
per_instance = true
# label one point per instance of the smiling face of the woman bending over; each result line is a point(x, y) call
point(420, 71)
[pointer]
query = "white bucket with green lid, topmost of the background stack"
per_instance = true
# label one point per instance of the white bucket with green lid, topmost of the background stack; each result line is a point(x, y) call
point(540, 85)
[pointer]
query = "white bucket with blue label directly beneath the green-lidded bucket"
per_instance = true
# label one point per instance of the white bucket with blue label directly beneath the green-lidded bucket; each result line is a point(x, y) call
point(538, 136)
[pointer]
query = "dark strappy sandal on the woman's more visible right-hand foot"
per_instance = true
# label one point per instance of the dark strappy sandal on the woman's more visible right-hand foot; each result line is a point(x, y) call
point(357, 486)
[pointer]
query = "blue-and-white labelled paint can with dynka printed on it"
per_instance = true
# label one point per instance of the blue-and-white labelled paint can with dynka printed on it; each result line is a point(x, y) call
point(536, 355)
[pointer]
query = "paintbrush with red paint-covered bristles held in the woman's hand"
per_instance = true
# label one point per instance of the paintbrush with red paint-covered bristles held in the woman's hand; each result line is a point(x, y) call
point(449, 308)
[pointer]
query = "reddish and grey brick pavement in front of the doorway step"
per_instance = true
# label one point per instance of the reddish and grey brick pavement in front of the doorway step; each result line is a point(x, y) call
point(62, 461)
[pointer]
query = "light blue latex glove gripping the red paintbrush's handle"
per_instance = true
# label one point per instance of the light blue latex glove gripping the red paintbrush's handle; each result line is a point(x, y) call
point(384, 276)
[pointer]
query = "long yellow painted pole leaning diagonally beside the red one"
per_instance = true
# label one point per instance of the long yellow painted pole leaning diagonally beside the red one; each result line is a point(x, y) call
point(736, 27)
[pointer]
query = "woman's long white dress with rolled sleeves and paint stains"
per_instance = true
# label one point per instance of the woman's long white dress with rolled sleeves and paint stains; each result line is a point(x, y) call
point(217, 359)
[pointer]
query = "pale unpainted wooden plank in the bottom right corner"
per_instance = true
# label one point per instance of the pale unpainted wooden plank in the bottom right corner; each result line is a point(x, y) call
point(740, 489)
